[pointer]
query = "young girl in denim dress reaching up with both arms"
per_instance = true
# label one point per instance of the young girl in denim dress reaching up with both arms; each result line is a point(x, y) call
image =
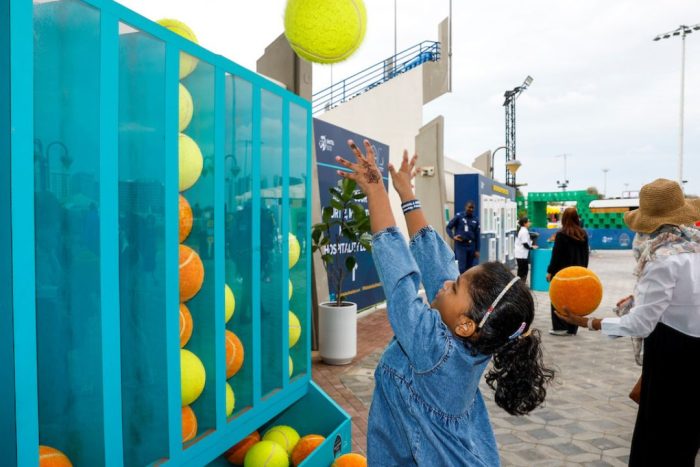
point(427, 408)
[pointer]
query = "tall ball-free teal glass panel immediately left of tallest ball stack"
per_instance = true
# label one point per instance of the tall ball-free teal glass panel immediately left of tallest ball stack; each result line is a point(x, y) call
point(141, 246)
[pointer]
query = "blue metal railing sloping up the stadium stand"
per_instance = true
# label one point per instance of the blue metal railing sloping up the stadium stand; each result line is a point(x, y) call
point(369, 78)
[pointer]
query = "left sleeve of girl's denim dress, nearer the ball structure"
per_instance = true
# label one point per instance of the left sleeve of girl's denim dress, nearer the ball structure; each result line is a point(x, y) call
point(418, 329)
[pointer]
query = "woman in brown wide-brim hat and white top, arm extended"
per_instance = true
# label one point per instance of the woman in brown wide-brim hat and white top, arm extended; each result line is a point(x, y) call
point(666, 313)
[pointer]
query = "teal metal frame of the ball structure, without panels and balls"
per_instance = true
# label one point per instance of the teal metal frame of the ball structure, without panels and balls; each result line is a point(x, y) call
point(108, 399)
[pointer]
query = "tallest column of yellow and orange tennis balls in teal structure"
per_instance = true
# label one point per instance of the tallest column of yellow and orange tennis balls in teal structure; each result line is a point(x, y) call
point(192, 371)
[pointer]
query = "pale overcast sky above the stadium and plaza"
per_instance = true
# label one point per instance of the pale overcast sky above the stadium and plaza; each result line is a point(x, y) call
point(603, 93)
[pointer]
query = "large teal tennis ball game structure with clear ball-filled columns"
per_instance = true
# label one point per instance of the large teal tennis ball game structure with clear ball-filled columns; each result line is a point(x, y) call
point(160, 312)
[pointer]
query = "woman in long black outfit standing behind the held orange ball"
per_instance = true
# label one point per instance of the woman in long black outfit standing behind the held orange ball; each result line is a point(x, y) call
point(570, 249)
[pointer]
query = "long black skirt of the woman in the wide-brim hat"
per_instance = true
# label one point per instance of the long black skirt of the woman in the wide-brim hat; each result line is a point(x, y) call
point(667, 431)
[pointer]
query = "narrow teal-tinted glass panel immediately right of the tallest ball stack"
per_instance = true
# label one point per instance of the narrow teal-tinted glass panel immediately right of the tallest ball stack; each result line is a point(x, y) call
point(239, 241)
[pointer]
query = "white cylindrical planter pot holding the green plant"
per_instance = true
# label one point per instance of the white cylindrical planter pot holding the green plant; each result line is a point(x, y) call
point(337, 332)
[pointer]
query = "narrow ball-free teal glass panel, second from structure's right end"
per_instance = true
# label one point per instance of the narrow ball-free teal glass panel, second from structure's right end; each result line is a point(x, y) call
point(271, 260)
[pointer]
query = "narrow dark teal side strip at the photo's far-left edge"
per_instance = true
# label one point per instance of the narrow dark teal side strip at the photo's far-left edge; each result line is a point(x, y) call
point(8, 442)
